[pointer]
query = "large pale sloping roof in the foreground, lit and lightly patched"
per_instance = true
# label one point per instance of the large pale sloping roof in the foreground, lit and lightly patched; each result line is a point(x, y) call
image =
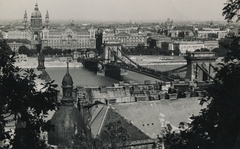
point(151, 117)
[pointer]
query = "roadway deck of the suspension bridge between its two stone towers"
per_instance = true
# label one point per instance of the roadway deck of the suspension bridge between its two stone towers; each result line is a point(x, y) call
point(146, 71)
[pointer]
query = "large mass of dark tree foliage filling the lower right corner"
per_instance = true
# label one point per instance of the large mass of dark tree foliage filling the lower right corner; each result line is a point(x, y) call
point(217, 125)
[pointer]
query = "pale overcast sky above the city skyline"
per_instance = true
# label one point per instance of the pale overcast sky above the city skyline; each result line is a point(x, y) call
point(116, 10)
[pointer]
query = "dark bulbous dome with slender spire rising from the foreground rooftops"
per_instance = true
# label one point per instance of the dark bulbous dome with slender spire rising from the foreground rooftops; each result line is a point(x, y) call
point(67, 119)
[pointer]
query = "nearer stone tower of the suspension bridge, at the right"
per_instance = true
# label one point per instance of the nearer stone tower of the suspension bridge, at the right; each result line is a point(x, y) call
point(199, 66)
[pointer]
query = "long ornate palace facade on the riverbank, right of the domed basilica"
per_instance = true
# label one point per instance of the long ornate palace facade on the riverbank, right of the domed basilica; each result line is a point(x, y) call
point(71, 38)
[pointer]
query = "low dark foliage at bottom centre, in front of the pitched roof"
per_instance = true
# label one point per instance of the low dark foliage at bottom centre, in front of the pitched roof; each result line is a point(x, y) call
point(113, 136)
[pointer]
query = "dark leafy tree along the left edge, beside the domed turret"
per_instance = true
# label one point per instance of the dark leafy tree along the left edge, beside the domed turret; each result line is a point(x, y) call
point(22, 104)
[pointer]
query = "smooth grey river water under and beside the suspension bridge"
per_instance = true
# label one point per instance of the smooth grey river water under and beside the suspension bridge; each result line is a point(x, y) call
point(84, 77)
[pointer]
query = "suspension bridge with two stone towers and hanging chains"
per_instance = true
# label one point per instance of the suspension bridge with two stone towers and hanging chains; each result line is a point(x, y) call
point(114, 63)
